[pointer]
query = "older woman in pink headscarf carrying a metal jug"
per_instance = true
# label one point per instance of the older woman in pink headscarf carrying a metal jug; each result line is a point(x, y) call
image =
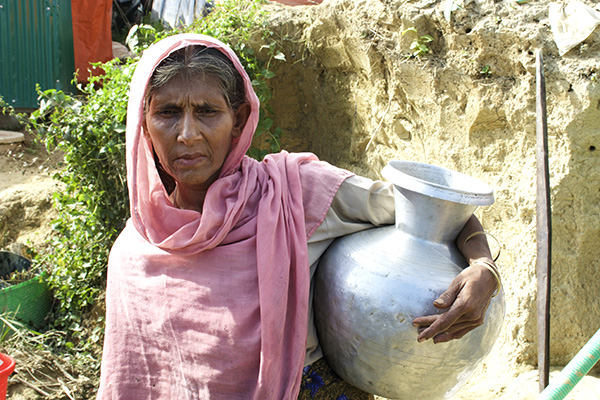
point(209, 284)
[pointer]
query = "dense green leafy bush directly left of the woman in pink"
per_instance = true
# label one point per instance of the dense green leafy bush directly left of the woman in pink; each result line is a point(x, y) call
point(93, 203)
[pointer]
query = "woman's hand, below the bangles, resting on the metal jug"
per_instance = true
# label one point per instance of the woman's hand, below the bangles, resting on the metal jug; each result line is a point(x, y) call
point(465, 301)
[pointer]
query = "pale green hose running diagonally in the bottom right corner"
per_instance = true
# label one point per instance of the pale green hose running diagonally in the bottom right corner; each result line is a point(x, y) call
point(575, 370)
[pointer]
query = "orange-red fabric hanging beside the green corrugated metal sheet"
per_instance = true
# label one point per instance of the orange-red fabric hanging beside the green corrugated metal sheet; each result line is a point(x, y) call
point(92, 36)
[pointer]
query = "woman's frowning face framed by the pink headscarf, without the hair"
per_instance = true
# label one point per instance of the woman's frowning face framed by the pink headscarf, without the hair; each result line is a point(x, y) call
point(191, 127)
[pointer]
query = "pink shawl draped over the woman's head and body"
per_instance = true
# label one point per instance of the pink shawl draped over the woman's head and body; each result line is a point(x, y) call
point(186, 290)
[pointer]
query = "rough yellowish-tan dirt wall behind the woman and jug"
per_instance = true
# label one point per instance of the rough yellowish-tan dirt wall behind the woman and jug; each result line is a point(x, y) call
point(350, 92)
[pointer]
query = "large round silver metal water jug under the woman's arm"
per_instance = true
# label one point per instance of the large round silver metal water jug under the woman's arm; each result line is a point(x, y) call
point(370, 286)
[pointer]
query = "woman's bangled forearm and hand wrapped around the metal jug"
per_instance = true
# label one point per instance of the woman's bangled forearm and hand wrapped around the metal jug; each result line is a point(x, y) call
point(469, 294)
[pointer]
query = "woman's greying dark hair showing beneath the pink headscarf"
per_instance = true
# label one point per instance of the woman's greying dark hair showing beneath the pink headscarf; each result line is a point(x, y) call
point(199, 63)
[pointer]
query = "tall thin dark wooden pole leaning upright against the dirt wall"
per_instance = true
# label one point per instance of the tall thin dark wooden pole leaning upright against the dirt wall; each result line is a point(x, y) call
point(543, 228)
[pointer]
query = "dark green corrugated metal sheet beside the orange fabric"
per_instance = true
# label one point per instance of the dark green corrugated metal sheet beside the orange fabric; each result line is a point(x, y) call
point(36, 47)
